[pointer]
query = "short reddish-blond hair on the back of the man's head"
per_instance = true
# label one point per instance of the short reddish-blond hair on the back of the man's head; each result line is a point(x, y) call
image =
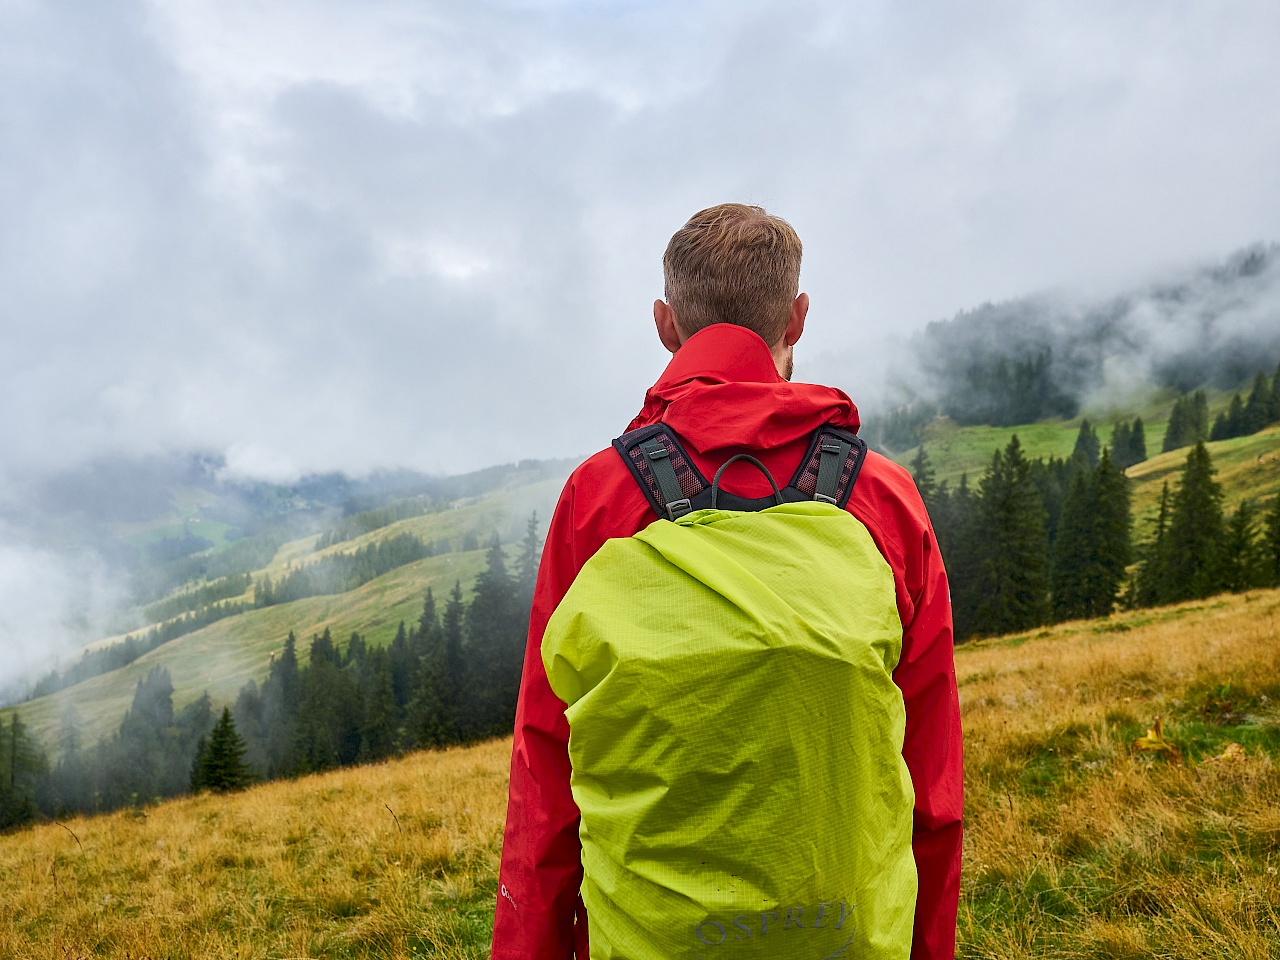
point(734, 264)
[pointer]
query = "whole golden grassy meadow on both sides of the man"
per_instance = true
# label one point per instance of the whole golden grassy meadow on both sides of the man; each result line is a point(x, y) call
point(1077, 845)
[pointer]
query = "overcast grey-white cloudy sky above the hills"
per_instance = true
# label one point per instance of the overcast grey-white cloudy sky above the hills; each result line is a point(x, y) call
point(392, 232)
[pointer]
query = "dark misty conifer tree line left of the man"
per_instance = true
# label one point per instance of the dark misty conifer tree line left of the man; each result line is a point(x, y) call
point(451, 678)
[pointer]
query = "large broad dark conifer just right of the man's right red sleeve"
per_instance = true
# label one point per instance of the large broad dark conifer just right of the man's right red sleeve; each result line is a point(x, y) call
point(1013, 584)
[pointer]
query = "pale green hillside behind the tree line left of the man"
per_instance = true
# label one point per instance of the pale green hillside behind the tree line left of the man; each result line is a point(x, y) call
point(222, 657)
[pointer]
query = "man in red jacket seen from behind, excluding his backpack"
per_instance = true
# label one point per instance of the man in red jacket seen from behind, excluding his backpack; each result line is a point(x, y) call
point(732, 321)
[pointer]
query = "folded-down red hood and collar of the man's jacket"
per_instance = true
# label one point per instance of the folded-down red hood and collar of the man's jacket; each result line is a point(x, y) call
point(723, 390)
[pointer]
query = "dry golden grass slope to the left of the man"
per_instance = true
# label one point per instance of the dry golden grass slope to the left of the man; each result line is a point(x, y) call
point(319, 867)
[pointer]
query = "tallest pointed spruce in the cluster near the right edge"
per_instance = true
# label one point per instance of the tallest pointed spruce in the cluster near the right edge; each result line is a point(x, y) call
point(1196, 531)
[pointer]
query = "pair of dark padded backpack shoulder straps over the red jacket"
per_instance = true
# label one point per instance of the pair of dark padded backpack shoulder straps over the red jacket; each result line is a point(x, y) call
point(674, 486)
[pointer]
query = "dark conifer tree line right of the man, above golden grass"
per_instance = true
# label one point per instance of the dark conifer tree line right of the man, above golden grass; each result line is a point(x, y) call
point(1046, 541)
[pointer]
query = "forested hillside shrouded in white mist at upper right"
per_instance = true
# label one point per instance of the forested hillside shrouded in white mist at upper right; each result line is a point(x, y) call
point(1050, 356)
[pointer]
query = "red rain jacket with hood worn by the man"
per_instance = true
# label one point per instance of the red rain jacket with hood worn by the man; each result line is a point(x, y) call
point(724, 396)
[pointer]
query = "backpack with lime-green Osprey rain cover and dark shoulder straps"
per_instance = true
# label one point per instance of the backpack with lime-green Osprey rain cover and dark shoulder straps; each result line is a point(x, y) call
point(735, 732)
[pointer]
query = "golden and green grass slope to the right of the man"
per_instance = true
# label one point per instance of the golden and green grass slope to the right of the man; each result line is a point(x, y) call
point(1080, 848)
